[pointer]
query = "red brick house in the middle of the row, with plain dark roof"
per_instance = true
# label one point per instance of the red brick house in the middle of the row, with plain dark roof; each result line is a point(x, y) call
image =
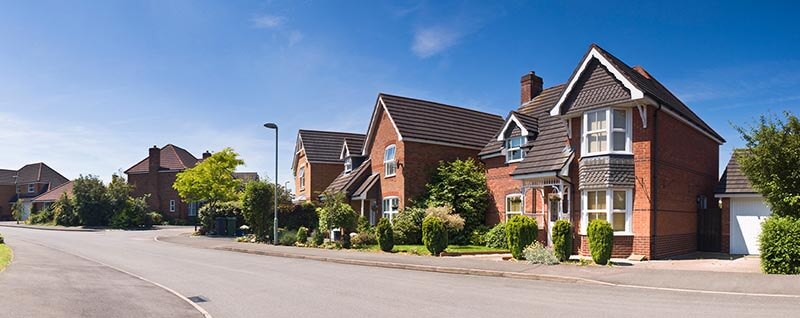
point(406, 140)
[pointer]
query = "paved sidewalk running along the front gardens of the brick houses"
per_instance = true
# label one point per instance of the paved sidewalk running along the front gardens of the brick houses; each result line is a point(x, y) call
point(624, 276)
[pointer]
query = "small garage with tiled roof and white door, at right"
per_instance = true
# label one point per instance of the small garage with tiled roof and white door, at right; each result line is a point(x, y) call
point(743, 210)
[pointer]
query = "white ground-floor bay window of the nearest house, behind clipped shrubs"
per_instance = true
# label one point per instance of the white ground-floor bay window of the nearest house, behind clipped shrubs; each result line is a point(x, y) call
point(611, 205)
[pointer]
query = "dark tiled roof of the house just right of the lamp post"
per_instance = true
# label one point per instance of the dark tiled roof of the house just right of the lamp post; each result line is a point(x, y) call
point(325, 146)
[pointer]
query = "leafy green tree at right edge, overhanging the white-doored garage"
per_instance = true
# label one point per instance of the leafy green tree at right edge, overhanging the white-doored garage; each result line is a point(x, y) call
point(771, 160)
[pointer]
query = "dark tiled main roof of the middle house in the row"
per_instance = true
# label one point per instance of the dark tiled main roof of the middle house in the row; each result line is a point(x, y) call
point(436, 122)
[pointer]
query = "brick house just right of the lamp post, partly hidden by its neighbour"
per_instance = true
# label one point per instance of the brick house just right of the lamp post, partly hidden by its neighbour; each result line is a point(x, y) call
point(318, 159)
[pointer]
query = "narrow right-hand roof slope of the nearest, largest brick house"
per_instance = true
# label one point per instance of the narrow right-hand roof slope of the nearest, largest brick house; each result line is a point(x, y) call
point(647, 83)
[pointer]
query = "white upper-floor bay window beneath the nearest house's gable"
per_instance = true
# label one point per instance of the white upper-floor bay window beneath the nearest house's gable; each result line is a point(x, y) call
point(606, 131)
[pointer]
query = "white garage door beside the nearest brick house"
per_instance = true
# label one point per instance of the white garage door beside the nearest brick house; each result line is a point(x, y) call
point(747, 214)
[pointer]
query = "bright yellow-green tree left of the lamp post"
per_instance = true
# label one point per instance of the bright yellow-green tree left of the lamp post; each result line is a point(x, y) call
point(211, 180)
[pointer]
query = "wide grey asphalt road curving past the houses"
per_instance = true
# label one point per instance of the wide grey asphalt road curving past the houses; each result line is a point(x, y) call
point(244, 285)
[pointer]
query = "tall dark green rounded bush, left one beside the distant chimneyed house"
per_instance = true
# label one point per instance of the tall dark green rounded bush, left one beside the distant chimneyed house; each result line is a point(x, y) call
point(91, 201)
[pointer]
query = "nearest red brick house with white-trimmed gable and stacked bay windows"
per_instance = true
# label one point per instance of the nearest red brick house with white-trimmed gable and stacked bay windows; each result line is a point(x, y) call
point(612, 143)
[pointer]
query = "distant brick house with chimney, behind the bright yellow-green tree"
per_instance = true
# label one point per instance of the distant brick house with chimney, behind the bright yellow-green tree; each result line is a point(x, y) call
point(155, 175)
